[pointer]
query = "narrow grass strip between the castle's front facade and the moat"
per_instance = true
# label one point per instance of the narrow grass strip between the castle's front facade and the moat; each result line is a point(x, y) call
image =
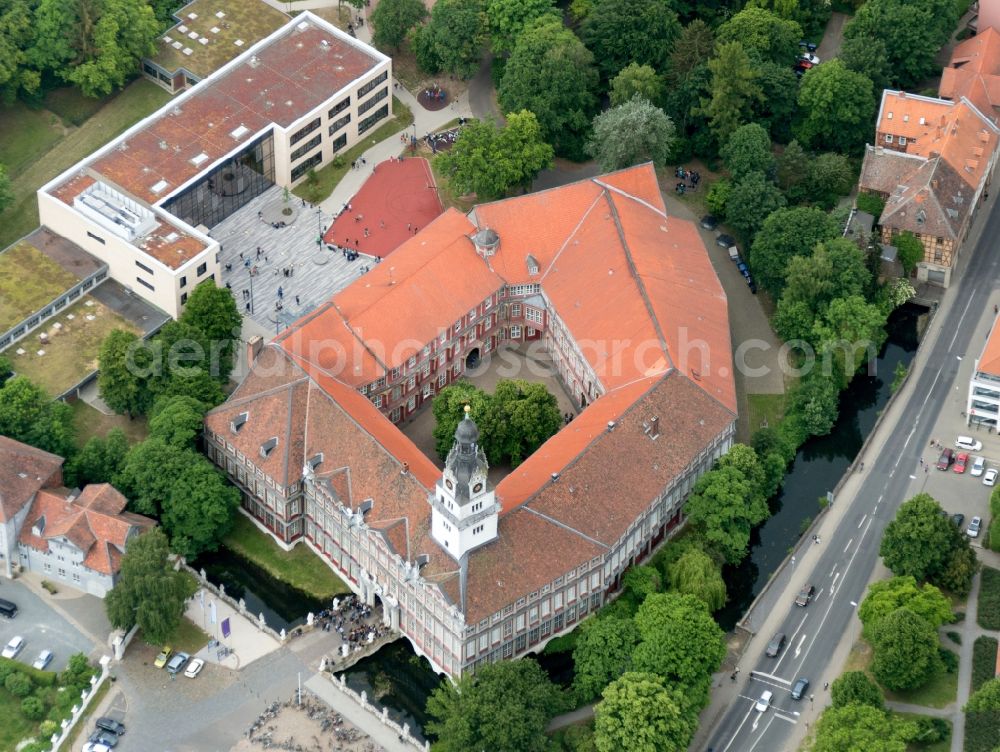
point(300, 567)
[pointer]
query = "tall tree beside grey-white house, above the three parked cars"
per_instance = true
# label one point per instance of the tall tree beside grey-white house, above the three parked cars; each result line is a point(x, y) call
point(148, 592)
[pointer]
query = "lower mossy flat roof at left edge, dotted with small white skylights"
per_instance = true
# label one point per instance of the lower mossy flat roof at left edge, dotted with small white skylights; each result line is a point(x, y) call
point(72, 350)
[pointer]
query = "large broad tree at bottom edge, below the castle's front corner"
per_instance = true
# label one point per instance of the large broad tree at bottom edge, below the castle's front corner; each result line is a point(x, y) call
point(465, 717)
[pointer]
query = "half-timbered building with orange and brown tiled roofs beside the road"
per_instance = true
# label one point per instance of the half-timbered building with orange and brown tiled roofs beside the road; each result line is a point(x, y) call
point(932, 163)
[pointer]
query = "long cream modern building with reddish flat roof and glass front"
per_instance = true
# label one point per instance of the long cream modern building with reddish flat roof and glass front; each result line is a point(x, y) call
point(145, 203)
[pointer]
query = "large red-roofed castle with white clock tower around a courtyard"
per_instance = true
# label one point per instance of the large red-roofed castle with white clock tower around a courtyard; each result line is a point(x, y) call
point(625, 302)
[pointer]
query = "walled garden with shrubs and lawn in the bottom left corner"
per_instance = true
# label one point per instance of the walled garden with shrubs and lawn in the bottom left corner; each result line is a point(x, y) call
point(33, 703)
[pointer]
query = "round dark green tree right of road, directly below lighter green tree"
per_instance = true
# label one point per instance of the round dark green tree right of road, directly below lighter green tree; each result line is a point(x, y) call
point(906, 650)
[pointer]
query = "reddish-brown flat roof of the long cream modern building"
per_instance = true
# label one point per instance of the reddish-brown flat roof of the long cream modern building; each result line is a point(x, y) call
point(276, 82)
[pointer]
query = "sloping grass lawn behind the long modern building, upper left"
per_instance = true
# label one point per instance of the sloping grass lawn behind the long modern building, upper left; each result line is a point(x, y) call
point(50, 157)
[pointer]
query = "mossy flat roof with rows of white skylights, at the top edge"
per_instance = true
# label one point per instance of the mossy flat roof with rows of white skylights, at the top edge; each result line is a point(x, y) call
point(210, 33)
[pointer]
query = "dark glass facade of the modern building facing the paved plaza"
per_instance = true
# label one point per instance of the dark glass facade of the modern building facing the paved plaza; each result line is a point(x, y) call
point(228, 187)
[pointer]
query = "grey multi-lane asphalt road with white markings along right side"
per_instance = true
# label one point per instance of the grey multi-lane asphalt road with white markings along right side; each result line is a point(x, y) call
point(843, 569)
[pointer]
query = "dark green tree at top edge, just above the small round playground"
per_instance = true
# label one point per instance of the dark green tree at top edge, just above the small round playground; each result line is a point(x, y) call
point(454, 38)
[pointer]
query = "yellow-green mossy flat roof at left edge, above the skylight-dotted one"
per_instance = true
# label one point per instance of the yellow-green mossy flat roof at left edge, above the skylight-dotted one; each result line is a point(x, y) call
point(28, 280)
